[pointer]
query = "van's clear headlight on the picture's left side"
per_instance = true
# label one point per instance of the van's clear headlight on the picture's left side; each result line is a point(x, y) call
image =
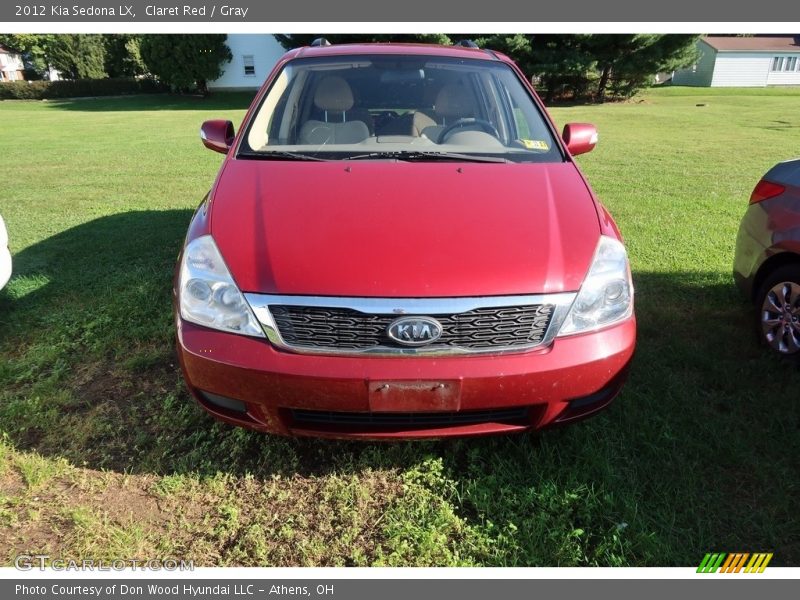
point(207, 293)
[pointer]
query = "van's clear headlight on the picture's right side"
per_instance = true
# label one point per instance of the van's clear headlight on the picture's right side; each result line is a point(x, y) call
point(606, 295)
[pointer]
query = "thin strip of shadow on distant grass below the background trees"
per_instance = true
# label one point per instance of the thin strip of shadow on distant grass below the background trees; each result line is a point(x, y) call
point(221, 101)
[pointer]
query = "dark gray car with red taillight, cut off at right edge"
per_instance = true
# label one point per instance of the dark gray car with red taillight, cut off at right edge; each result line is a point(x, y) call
point(767, 262)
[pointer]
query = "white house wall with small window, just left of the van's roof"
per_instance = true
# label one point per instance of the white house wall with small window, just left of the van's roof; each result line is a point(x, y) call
point(254, 55)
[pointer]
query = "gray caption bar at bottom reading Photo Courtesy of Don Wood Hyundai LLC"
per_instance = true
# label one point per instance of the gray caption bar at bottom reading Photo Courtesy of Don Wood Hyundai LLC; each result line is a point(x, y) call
point(703, 586)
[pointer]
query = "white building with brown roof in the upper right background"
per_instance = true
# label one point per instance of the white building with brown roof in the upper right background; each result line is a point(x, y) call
point(732, 61)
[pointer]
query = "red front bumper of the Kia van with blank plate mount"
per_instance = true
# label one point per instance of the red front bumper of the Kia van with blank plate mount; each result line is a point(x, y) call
point(247, 382)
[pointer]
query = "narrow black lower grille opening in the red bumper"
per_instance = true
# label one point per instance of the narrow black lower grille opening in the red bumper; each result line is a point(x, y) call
point(504, 416)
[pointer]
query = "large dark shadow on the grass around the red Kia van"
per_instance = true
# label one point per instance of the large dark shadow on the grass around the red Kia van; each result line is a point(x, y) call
point(700, 448)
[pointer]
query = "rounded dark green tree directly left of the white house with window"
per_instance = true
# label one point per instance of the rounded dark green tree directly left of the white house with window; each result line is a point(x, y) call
point(185, 62)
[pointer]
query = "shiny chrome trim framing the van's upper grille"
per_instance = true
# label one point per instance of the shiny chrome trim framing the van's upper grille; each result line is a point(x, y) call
point(260, 303)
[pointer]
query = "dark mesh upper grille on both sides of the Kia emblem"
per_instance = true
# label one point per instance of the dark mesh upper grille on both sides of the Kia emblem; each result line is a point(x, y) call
point(482, 329)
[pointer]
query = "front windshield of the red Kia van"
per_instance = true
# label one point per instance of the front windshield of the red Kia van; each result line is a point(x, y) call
point(377, 107)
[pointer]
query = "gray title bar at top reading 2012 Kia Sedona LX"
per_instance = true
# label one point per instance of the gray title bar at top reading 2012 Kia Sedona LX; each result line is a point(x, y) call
point(441, 11)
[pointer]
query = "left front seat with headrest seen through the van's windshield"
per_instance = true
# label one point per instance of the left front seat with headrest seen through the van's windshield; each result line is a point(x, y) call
point(333, 95)
